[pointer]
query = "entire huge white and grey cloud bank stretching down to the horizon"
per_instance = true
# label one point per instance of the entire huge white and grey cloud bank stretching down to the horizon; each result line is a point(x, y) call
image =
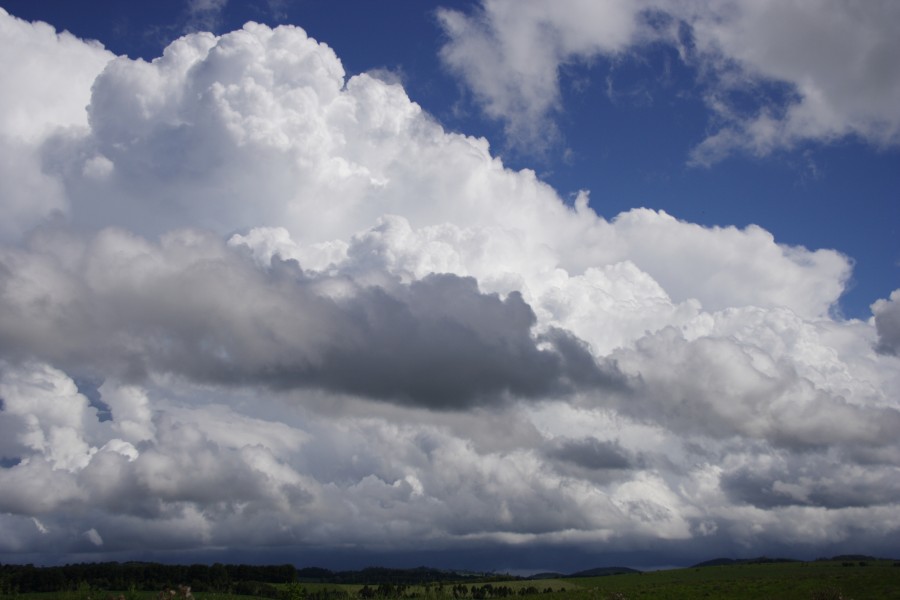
point(249, 302)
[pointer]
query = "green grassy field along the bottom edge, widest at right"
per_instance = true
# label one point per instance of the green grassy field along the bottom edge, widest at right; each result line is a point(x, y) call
point(821, 580)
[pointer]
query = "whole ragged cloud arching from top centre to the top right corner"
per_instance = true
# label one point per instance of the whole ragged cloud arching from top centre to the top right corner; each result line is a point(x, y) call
point(746, 53)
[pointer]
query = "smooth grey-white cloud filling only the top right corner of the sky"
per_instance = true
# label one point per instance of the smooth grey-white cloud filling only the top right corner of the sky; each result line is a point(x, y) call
point(835, 57)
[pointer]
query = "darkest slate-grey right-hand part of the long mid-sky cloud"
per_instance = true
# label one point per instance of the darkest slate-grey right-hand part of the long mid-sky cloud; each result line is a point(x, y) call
point(440, 342)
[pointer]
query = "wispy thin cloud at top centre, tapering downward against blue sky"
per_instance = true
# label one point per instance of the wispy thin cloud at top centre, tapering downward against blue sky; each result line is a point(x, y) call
point(509, 53)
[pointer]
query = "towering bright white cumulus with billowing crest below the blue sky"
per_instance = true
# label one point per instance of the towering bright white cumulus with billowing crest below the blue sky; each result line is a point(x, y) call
point(263, 114)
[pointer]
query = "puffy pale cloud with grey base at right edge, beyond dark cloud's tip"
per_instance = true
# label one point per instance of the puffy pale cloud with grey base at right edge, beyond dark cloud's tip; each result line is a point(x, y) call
point(744, 385)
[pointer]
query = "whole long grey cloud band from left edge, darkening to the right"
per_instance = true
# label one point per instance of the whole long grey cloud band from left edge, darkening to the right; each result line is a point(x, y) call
point(195, 307)
